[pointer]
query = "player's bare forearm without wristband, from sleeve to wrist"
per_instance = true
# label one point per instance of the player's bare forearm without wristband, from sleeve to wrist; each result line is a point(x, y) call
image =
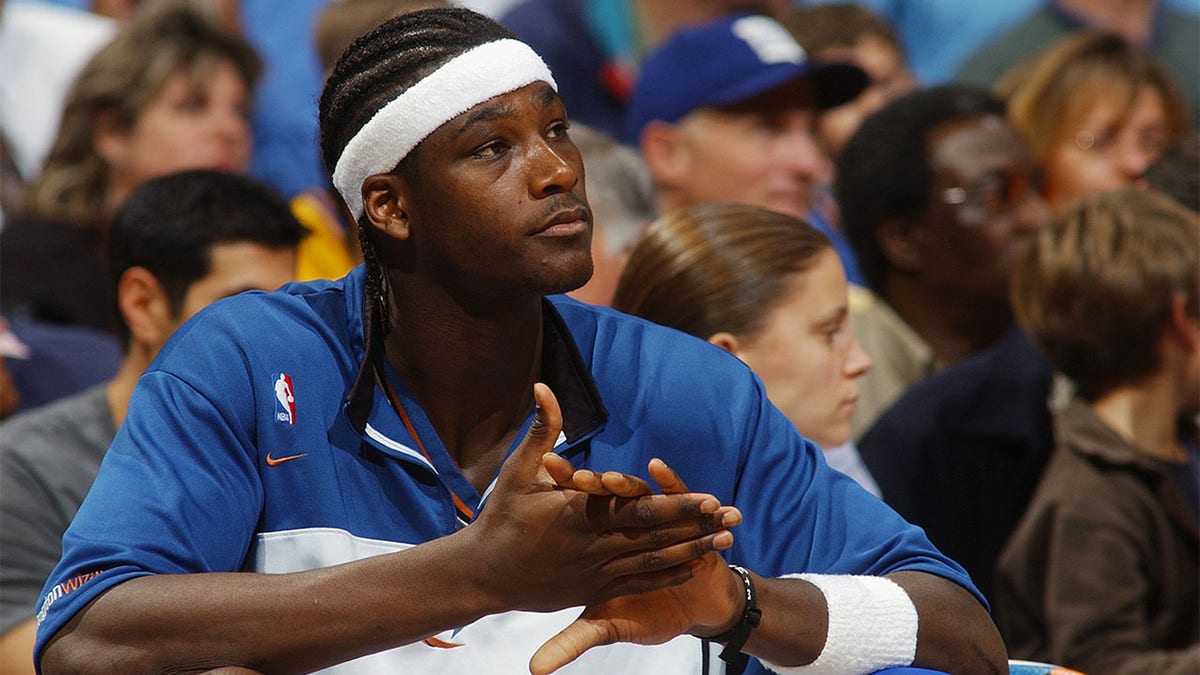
point(275, 623)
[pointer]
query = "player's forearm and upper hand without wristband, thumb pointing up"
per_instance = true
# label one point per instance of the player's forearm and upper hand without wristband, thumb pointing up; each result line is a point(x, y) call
point(589, 549)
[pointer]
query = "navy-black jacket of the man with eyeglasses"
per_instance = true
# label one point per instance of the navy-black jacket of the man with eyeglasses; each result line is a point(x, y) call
point(962, 451)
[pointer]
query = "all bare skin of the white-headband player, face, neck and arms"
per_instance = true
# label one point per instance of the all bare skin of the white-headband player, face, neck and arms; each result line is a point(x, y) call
point(513, 181)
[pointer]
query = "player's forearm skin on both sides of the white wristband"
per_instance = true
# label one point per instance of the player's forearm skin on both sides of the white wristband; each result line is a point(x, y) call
point(955, 632)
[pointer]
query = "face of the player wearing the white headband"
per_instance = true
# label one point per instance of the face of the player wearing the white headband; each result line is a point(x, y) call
point(497, 206)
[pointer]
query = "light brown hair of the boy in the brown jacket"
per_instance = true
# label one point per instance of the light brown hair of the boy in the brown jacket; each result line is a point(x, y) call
point(1097, 285)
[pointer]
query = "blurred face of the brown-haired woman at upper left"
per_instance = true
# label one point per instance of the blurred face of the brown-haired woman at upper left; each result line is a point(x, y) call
point(187, 126)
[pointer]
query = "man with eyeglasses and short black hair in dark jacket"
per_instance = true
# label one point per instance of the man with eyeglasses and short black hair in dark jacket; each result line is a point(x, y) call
point(940, 195)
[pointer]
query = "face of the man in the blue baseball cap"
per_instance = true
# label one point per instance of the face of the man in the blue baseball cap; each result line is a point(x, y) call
point(761, 152)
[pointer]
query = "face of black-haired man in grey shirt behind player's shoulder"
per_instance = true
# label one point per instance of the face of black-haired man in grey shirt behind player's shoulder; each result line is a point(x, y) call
point(237, 267)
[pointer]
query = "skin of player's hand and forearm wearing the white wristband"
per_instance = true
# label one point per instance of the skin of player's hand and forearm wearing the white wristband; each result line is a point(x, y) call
point(955, 634)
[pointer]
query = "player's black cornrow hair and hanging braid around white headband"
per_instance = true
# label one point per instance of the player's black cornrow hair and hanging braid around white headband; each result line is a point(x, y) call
point(375, 70)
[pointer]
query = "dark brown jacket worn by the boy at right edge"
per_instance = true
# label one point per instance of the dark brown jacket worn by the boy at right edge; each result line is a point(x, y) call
point(1103, 575)
